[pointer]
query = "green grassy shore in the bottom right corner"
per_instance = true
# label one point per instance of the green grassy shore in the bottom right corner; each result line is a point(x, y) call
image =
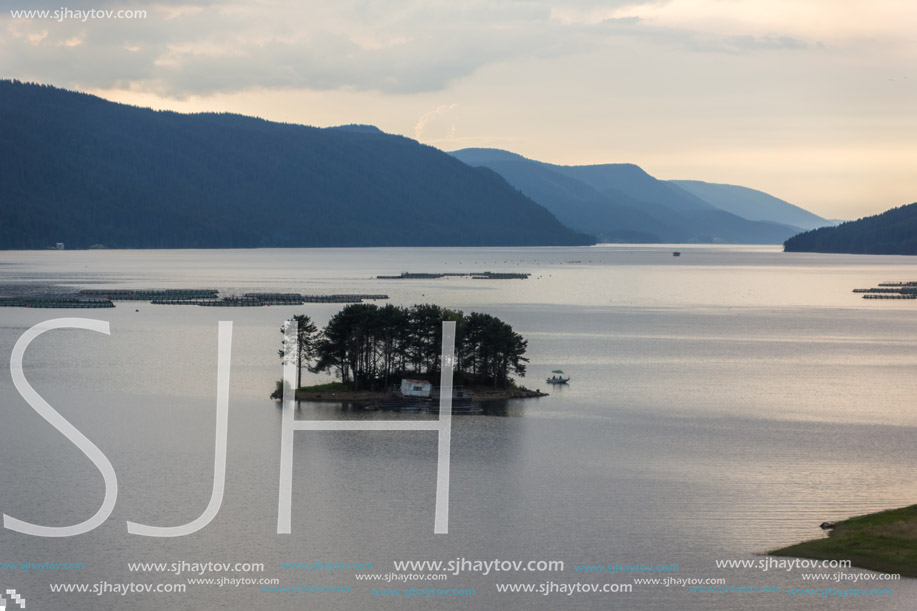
point(884, 541)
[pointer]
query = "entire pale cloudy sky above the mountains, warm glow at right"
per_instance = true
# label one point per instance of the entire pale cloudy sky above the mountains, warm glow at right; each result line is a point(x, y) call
point(814, 101)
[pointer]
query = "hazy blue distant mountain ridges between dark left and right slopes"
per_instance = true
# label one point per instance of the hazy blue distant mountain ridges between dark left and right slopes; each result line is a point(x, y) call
point(623, 203)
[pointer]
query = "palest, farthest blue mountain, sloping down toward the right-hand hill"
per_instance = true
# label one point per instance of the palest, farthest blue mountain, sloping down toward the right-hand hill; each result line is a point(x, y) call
point(752, 204)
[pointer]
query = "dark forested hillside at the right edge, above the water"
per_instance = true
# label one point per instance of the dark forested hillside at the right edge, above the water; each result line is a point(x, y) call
point(893, 232)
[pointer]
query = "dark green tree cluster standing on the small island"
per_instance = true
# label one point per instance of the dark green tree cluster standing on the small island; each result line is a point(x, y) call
point(370, 348)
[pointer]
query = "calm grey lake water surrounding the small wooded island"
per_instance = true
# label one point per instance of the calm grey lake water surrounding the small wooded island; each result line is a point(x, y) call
point(723, 403)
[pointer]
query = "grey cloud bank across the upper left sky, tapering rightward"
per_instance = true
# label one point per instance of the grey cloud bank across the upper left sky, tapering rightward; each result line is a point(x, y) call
point(198, 47)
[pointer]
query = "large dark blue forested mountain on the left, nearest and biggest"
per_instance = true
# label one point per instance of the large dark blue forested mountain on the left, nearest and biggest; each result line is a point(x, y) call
point(77, 169)
